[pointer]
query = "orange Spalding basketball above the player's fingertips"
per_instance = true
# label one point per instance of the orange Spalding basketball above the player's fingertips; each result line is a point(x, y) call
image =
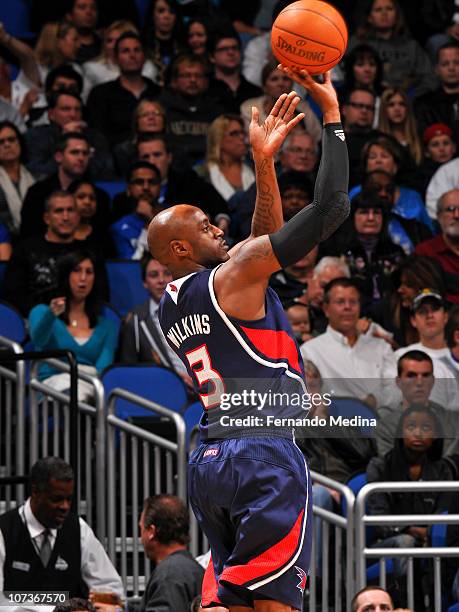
point(309, 34)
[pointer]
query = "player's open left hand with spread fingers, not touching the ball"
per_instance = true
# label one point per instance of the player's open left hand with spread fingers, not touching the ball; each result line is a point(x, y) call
point(266, 139)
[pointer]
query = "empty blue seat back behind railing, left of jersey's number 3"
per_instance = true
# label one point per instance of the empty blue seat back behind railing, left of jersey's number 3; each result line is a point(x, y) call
point(154, 383)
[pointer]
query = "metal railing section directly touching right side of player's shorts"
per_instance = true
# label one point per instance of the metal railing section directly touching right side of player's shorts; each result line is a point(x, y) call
point(341, 524)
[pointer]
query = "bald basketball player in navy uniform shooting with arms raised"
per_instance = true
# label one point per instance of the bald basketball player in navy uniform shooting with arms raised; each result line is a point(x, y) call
point(249, 486)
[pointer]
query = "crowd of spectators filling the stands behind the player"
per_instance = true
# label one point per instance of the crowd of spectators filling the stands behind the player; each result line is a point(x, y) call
point(160, 104)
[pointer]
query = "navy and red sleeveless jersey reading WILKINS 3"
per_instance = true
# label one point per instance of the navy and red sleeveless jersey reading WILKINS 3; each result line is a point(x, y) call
point(255, 365)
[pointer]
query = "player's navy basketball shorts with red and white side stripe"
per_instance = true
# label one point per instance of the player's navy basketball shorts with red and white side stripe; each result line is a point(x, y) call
point(252, 498)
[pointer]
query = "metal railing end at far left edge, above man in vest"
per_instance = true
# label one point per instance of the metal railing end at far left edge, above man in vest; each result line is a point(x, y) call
point(12, 420)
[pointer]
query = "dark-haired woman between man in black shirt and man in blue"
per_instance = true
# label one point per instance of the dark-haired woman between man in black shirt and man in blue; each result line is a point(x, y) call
point(93, 225)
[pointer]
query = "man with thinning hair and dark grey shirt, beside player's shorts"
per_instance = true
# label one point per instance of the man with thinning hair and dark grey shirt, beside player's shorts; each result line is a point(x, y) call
point(177, 577)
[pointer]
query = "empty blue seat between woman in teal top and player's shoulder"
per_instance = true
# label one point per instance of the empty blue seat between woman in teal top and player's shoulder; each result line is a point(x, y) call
point(126, 286)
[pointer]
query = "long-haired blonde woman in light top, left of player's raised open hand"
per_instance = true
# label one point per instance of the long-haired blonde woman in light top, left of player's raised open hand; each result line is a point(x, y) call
point(226, 150)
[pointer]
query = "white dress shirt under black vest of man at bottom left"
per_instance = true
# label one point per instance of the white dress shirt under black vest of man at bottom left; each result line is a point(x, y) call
point(97, 570)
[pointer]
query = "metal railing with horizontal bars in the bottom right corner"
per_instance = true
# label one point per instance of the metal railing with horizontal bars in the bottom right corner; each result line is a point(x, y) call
point(362, 520)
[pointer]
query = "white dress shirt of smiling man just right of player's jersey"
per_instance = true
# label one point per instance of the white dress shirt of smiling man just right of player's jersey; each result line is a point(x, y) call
point(351, 371)
